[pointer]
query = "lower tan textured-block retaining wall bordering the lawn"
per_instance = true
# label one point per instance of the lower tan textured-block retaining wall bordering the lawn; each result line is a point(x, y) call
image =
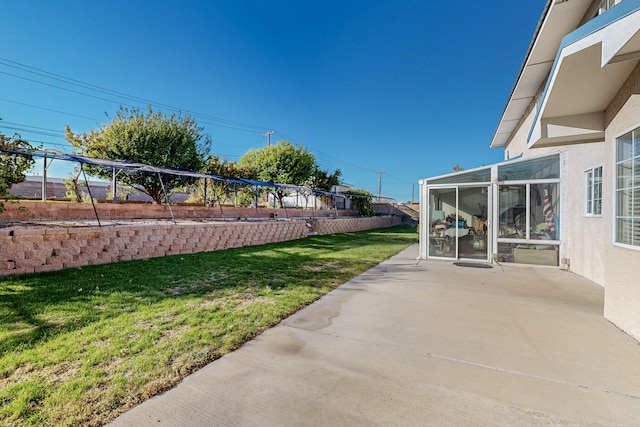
point(36, 249)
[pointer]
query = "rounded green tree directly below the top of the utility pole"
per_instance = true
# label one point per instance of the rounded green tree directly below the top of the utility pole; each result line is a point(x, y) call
point(282, 163)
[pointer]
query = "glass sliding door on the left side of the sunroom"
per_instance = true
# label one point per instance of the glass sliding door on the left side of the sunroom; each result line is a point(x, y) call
point(458, 222)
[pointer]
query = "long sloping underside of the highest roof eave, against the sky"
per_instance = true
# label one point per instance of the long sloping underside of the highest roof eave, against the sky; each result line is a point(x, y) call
point(561, 18)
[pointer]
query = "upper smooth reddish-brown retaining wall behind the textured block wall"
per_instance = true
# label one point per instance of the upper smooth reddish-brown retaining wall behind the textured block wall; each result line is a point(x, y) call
point(65, 211)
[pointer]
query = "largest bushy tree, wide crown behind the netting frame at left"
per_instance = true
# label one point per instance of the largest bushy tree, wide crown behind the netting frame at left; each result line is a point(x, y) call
point(174, 142)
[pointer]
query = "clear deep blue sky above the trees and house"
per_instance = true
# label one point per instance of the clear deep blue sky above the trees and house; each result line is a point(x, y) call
point(409, 88)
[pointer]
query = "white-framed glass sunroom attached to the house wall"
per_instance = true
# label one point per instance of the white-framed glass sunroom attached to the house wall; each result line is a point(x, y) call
point(508, 212)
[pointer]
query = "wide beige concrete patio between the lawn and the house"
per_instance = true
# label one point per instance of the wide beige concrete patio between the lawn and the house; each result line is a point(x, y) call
point(426, 344)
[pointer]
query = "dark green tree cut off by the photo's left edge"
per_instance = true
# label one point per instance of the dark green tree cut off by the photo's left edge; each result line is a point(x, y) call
point(12, 166)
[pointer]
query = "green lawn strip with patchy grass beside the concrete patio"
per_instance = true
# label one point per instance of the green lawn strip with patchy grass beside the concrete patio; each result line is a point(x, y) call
point(81, 346)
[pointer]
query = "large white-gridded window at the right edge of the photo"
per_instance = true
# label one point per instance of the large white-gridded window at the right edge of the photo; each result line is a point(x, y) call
point(627, 213)
